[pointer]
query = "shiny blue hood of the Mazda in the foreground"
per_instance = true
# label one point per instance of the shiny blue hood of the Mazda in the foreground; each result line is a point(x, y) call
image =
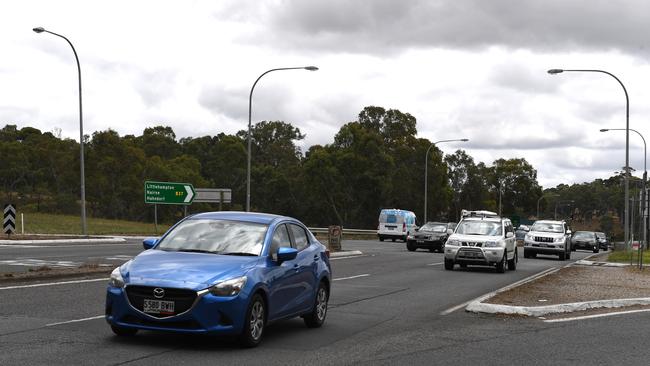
point(184, 270)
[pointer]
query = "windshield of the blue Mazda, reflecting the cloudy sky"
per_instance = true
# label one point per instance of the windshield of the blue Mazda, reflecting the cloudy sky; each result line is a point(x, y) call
point(215, 236)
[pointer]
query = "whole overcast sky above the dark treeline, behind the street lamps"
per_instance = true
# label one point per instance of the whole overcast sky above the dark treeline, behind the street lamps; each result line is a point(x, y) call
point(464, 68)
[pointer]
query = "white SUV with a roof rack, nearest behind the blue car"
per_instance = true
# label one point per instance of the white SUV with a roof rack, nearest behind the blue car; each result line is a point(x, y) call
point(482, 238)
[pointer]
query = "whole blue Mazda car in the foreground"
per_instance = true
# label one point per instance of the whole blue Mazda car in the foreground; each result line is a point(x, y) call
point(225, 273)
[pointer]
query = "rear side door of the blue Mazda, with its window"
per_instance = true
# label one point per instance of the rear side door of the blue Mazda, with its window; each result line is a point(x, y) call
point(307, 261)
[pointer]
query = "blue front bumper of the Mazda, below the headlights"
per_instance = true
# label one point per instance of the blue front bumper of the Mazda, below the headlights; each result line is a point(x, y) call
point(208, 315)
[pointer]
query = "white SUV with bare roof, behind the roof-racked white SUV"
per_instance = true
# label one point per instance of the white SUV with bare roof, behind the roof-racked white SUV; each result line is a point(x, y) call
point(548, 237)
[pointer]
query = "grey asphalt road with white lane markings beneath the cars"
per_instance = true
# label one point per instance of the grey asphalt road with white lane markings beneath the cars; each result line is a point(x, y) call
point(388, 306)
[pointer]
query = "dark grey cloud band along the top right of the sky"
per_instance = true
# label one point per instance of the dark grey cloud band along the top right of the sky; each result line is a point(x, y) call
point(381, 26)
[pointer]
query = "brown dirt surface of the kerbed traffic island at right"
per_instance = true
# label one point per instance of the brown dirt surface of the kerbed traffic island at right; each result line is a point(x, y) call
point(578, 284)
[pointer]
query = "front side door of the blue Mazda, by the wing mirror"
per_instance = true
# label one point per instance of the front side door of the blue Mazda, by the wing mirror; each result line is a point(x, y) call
point(283, 279)
